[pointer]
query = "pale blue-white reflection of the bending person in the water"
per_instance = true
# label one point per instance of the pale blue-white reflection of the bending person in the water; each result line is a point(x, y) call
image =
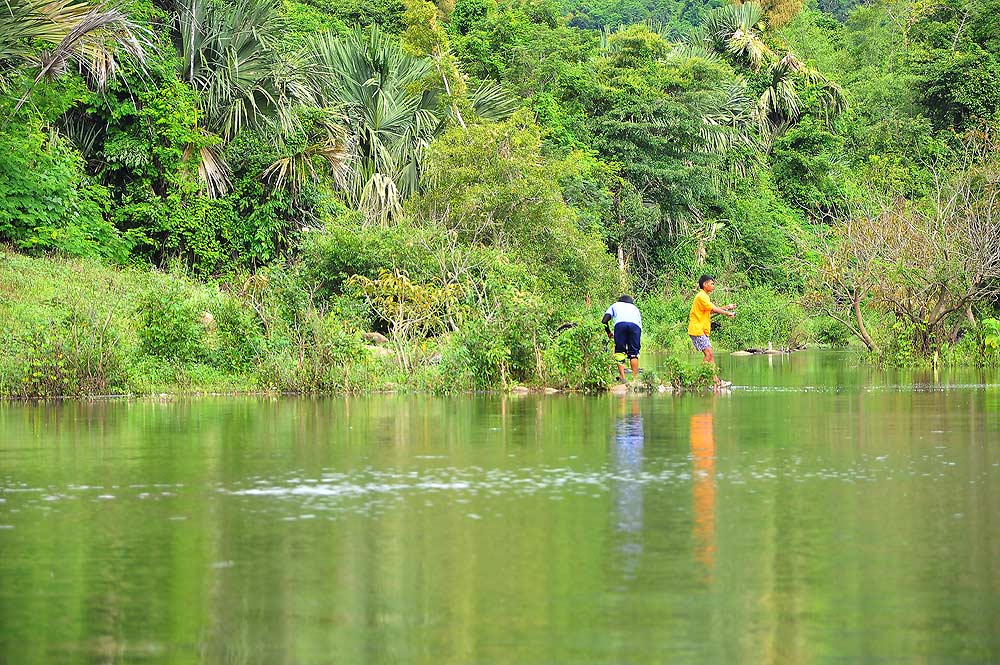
point(628, 452)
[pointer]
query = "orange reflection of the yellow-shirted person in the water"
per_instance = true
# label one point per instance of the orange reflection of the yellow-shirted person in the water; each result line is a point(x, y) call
point(703, 493)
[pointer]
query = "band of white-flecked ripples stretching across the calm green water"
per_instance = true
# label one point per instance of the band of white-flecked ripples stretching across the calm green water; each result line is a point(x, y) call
point(365, 489)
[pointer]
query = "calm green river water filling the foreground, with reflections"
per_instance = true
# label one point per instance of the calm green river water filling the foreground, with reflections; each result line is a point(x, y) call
point(821, 512)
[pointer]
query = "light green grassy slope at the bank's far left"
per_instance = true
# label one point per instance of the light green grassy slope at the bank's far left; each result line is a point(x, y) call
point(85, 309)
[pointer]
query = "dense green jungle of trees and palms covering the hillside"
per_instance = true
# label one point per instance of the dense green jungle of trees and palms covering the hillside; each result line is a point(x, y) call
point(476, 179)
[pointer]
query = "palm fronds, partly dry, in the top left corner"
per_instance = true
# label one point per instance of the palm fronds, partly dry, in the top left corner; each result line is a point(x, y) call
point(74, 31)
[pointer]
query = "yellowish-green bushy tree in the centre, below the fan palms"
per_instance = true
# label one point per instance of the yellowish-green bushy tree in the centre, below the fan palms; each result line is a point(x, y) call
point(490, 187)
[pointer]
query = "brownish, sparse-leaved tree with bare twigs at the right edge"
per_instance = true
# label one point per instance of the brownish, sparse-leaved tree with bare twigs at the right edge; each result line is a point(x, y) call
point(927, 262)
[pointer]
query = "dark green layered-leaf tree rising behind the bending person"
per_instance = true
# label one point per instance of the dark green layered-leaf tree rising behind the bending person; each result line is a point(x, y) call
point(662, 117)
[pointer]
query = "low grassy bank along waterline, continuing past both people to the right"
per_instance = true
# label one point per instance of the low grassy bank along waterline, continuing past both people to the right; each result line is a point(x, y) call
point(80, 327)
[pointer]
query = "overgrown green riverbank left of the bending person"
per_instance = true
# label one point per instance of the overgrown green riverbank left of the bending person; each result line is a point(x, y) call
point(79, 327)
